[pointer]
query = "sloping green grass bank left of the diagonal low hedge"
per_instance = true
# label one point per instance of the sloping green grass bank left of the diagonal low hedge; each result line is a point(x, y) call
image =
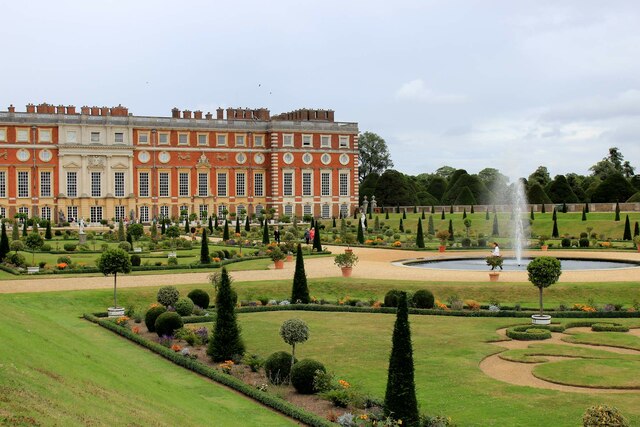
point(61, 370)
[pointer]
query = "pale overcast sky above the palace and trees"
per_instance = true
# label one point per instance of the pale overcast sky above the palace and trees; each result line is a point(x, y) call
point(470, 84)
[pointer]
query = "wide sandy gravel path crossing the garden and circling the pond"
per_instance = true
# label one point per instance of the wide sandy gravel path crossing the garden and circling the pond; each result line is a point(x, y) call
point(374, 263)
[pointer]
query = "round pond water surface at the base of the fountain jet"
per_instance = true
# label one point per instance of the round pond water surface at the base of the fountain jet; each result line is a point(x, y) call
point(511, 264)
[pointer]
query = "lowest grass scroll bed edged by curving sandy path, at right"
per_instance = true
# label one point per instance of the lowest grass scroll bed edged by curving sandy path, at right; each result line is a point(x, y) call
point(602, 373)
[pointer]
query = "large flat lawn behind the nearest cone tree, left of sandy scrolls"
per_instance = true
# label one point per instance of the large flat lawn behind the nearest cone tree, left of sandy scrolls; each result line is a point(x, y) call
point(447, 352)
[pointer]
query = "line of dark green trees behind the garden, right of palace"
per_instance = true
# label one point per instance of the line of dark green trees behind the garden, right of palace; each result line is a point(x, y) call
point(611, 180)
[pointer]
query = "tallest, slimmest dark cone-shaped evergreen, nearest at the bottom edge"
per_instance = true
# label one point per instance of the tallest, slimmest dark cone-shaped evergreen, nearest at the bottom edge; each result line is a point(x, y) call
point(400, 401)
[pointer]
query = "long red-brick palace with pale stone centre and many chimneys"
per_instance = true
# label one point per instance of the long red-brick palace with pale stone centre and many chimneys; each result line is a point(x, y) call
point(103, 163)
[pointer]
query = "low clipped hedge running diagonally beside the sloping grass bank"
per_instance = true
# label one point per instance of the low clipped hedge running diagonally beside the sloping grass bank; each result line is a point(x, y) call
point(266, 399)
